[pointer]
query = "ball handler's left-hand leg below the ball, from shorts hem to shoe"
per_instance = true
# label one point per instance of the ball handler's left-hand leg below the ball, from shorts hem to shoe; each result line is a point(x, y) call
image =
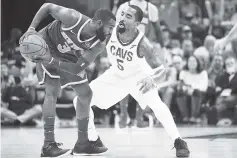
point(52, 89)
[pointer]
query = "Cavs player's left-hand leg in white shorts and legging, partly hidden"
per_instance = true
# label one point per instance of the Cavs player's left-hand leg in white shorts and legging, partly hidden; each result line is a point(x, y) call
point(107, 91)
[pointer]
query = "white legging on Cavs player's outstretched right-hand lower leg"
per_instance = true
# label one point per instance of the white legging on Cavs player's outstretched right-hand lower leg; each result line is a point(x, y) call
point(164, 115)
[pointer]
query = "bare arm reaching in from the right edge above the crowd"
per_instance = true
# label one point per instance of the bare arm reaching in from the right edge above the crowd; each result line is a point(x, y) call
point(221, 43)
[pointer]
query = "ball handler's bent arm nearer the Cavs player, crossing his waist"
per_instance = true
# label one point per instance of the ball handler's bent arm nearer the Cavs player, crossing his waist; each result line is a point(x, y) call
point(83, 61)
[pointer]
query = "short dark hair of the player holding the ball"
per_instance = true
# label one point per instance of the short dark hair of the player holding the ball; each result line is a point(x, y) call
point(104, 15)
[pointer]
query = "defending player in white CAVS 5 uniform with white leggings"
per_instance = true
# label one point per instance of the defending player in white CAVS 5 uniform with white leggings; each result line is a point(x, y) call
point(135, 70)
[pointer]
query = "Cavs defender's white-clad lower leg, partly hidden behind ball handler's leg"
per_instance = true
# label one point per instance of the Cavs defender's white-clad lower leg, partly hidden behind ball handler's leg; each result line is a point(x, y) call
point(92, 133)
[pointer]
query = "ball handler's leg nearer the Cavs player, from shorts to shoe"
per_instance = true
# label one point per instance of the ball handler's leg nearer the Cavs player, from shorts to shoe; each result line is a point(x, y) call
point(80, 85)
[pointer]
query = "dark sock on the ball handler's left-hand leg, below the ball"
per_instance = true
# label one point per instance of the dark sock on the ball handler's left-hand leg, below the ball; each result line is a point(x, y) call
point(48, 130)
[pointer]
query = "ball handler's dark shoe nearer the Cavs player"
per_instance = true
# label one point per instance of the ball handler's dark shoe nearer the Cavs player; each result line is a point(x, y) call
point(88, 148)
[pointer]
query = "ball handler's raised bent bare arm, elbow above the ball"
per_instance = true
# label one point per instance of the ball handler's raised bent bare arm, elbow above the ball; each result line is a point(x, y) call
point(67, 16)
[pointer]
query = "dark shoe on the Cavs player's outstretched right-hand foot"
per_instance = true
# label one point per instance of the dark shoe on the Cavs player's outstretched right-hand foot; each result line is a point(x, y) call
point(181, 148)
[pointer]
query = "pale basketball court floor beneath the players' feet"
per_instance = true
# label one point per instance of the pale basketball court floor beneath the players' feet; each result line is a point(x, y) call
point(204, 142)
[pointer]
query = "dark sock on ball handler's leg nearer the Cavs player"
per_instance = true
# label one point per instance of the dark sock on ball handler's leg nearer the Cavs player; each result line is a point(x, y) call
point(82, 125)
